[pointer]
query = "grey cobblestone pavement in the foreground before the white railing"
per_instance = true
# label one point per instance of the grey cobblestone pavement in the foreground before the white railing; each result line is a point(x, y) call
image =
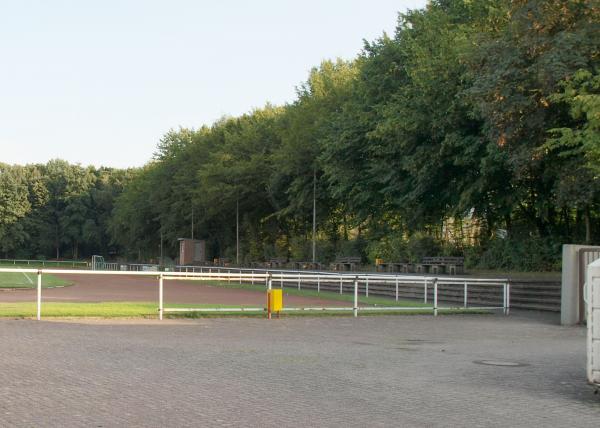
point(322, 371)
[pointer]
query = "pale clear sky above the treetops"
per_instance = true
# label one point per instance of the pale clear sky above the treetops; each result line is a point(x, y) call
point(99, 82)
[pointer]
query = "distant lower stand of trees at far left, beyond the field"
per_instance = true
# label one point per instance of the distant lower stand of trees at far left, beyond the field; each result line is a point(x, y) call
point(57, 210)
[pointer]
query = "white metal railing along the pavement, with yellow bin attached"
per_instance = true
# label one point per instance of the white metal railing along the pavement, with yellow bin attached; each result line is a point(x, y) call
point(269, 279)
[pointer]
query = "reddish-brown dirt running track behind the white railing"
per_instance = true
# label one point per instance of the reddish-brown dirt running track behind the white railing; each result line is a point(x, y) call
point(89, 288)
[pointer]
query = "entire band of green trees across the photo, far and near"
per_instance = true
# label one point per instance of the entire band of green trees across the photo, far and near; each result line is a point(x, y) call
point(474, 129)
